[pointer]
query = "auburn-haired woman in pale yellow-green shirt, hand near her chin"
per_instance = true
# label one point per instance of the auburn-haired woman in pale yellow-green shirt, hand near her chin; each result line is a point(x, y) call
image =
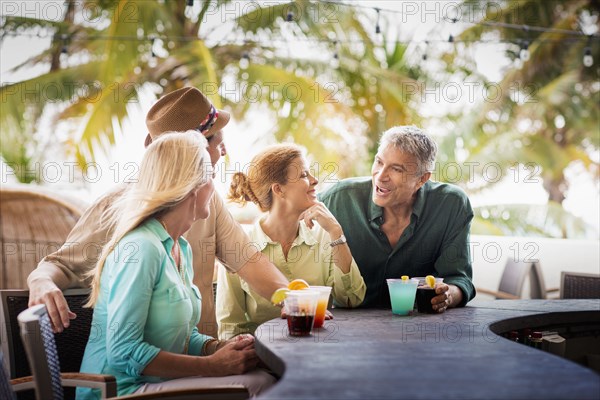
point(280, 184)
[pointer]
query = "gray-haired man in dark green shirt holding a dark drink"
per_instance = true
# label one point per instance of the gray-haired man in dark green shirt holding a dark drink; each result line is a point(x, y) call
point(398, 222)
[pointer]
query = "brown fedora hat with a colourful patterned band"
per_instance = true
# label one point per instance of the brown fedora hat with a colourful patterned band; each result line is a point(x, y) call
point(184, 109)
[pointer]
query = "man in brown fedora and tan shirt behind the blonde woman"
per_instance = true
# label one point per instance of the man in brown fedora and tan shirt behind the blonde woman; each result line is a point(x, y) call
point(219, 236)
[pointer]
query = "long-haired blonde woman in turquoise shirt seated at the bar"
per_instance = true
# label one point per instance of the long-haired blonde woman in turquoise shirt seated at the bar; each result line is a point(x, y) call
point(145, 305)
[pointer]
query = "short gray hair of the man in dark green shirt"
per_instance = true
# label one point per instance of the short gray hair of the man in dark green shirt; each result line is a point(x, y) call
point(413, 141)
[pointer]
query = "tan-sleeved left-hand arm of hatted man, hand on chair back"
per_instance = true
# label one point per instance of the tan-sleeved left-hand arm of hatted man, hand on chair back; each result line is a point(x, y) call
point(67, 267)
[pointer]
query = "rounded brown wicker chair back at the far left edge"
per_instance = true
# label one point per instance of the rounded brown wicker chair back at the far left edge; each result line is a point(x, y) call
point(33, 223)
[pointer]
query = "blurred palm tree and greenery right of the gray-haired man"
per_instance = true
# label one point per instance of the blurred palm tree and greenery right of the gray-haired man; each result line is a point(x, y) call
point(546, 116)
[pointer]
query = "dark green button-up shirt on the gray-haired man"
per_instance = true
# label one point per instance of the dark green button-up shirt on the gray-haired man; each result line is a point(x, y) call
point(434, 243)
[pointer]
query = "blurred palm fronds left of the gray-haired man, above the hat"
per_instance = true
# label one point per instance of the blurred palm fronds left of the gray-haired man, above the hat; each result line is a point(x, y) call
point(105, 53)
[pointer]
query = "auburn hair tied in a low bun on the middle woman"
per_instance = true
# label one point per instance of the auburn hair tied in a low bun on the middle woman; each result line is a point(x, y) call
point(266, 168)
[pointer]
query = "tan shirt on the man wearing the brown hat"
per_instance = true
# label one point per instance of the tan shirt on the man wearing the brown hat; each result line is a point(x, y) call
point(218, 236)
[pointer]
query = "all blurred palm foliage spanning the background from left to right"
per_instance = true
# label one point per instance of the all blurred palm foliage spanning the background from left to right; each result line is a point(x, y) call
point(319, 75)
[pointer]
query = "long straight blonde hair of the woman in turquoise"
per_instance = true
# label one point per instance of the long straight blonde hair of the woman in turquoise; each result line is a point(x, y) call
point(172, 167)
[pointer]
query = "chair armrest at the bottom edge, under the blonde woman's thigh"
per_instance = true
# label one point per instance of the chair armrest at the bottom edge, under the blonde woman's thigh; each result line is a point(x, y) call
point(237, 392)
